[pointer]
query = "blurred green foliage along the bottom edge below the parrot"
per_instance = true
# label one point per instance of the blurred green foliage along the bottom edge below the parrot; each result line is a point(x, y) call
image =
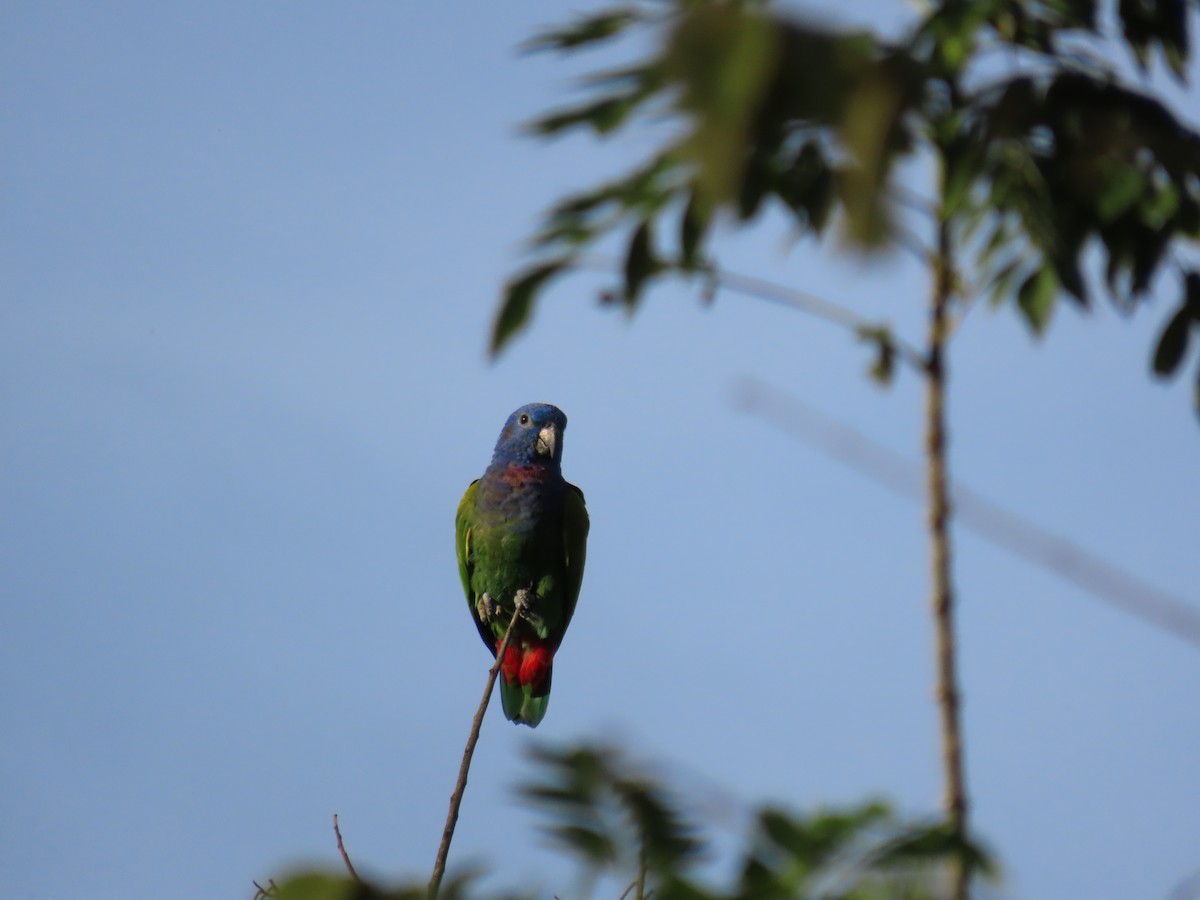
point(615, 819)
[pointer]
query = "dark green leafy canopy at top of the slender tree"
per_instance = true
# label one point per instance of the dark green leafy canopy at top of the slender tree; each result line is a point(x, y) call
point(1059, 172)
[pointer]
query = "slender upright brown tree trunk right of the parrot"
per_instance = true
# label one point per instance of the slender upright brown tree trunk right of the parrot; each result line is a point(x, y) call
point(949, 698)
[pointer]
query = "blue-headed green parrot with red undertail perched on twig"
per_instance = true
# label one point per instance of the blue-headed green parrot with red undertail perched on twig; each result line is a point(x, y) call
point(521, 539)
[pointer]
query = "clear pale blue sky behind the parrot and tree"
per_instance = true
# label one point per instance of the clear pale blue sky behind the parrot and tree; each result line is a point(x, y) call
point(250, 255)
